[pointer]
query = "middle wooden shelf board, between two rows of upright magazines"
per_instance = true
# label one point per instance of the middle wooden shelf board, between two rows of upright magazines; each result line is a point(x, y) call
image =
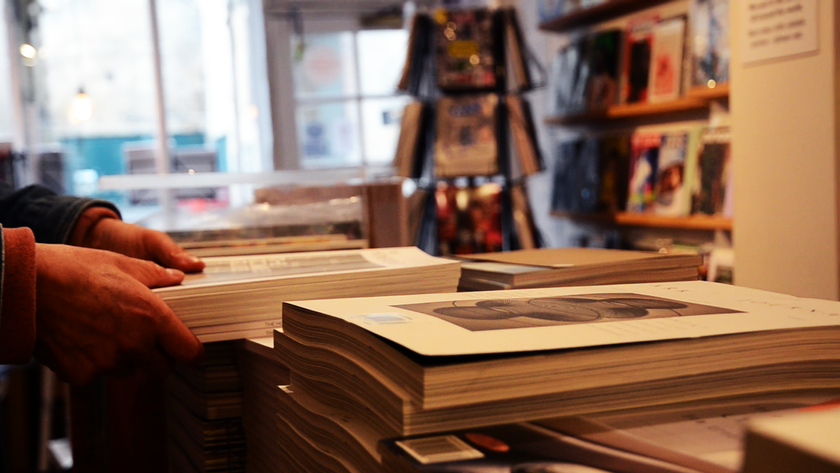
point(620, 112)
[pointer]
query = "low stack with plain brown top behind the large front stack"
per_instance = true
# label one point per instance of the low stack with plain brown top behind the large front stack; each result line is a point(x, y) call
point(573, 267)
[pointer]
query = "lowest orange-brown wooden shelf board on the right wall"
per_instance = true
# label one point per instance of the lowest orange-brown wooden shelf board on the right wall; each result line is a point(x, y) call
point(629, 219)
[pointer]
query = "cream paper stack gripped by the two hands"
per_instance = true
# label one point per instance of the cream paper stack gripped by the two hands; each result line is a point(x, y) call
point(241, 296)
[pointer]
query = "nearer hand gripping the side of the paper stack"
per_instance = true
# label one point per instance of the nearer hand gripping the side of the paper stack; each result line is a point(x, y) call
point(96, 314)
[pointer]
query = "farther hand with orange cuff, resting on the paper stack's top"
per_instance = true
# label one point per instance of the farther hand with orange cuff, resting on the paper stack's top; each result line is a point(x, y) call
point(135, 241)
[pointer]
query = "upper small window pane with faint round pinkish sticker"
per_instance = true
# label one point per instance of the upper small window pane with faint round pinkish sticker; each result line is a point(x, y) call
point(323, 65)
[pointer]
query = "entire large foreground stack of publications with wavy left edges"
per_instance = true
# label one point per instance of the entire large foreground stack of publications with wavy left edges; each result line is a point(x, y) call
point(365, 370)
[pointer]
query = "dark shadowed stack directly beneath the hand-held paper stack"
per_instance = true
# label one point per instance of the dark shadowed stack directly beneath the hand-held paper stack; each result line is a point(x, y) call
point(204, 414)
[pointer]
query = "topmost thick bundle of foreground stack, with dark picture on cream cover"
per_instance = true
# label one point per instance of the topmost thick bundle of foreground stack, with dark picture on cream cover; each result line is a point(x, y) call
point(446, 350)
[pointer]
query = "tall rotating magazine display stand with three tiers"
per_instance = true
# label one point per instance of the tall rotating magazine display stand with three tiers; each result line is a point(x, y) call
point(468, 140)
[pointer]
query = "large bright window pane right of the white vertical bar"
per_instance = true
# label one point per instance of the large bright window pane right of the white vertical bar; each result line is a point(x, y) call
point(210, 87)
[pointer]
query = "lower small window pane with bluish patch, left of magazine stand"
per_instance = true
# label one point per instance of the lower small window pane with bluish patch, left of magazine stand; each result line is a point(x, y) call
point(328, 134)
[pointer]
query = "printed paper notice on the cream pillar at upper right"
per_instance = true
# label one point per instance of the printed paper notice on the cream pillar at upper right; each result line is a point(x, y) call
point(777, 28)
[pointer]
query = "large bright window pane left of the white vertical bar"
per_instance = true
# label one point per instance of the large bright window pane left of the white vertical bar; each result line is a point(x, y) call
point(103, 48)
